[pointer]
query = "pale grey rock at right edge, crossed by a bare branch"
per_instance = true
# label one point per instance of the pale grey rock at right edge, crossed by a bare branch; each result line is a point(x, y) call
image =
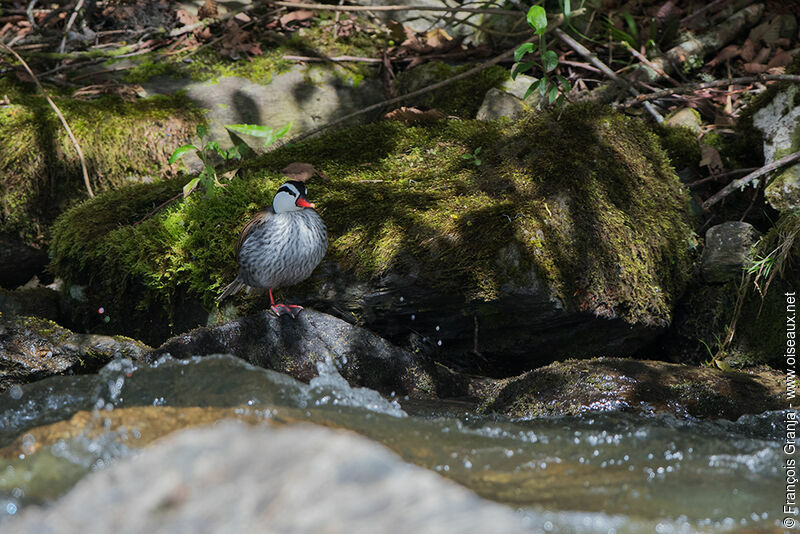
point(779, 121)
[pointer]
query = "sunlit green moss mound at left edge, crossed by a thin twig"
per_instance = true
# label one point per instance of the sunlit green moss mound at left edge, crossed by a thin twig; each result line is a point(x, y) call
point(40, 172)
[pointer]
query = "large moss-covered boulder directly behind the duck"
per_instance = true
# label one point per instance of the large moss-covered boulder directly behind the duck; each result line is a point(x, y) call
point(574, 222)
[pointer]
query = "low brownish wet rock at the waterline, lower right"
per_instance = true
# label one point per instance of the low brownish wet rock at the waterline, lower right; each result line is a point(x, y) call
point(650, 387)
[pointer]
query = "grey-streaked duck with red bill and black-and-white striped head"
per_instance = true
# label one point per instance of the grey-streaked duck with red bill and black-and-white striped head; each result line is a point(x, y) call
point(280, 246)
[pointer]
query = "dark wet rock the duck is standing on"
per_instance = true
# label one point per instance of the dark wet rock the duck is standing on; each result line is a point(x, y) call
point(295, 346)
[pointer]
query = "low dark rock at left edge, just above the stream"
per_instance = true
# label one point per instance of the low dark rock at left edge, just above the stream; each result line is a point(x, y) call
point(33, 348)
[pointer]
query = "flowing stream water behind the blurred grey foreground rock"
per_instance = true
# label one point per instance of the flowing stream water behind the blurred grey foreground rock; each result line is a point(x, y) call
point(599, 472)
